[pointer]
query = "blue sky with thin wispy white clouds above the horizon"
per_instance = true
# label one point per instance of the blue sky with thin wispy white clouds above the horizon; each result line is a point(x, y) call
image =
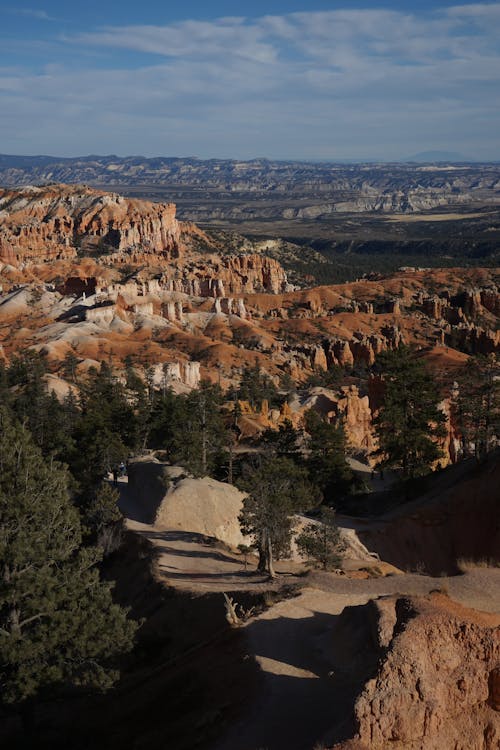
point(281, 79)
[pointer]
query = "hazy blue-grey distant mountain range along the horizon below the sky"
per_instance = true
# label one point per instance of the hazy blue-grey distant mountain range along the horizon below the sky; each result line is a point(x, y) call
point(227, 189)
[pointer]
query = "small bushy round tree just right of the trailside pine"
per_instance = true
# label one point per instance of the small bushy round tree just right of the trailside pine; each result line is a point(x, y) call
point(321, 542)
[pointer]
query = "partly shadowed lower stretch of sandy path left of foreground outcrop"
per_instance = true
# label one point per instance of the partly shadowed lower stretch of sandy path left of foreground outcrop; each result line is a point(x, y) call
point(299, 698)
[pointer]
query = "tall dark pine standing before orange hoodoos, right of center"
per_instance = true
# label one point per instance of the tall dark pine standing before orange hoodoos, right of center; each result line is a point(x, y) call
point(409, 422)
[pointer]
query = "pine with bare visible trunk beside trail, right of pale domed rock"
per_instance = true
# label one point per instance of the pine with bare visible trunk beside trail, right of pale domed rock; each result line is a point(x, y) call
point(277, 488)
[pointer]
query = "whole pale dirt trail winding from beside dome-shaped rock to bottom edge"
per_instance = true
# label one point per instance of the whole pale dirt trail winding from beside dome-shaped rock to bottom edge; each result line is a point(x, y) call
point(299, 700)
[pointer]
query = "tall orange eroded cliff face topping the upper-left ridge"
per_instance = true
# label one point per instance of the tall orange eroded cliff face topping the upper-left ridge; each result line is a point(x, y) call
point(47, 223)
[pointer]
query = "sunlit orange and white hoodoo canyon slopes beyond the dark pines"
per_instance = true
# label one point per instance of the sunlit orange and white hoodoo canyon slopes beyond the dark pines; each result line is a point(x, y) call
point(94, 274)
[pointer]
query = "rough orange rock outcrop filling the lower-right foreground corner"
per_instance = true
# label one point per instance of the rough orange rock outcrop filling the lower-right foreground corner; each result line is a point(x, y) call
point(437, 683)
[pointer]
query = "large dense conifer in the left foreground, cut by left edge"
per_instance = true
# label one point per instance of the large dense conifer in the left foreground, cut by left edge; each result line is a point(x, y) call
point(58, 624)
